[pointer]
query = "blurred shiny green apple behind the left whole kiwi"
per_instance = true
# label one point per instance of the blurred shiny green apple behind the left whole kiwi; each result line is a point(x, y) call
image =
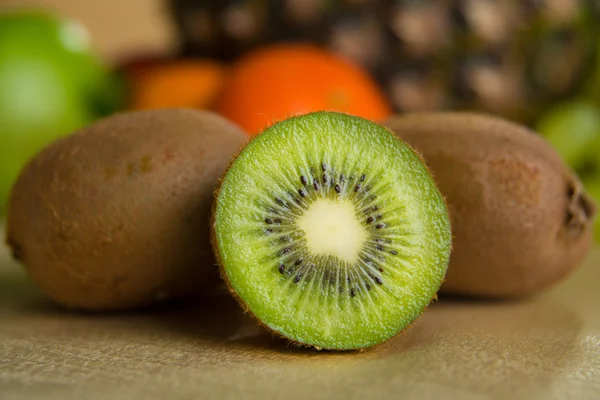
point(50, 84)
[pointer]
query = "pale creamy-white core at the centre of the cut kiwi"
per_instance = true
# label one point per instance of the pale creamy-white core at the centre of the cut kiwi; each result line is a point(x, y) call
point(331, 229)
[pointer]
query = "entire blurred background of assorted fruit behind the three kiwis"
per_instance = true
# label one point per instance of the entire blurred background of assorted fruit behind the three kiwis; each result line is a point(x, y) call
point(65, 63)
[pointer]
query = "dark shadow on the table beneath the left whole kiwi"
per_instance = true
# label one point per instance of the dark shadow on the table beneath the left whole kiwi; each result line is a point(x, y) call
point(216, 319)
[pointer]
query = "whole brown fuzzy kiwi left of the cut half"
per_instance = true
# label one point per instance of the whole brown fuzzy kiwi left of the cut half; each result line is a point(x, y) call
point(117, 215)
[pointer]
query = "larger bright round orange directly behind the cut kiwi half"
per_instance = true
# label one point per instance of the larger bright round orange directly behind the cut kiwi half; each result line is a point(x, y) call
point(277, 82)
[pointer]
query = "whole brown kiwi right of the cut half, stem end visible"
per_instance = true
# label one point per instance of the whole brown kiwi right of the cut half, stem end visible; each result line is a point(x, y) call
point(521, 220)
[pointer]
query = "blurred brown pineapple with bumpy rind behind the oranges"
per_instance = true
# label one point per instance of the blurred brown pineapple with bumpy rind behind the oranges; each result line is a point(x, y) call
point(509, 57)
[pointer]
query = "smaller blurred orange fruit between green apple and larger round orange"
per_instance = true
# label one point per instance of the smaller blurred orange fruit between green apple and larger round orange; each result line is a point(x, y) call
point(182, 83)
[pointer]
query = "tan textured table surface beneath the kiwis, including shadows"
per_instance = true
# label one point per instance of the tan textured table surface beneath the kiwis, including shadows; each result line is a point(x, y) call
point(547, 347)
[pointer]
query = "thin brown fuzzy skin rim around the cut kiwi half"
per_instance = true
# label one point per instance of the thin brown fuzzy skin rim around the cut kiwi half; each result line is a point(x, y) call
point(217, 254)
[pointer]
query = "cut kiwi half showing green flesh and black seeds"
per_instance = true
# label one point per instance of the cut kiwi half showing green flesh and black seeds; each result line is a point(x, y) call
point(331, 231)
